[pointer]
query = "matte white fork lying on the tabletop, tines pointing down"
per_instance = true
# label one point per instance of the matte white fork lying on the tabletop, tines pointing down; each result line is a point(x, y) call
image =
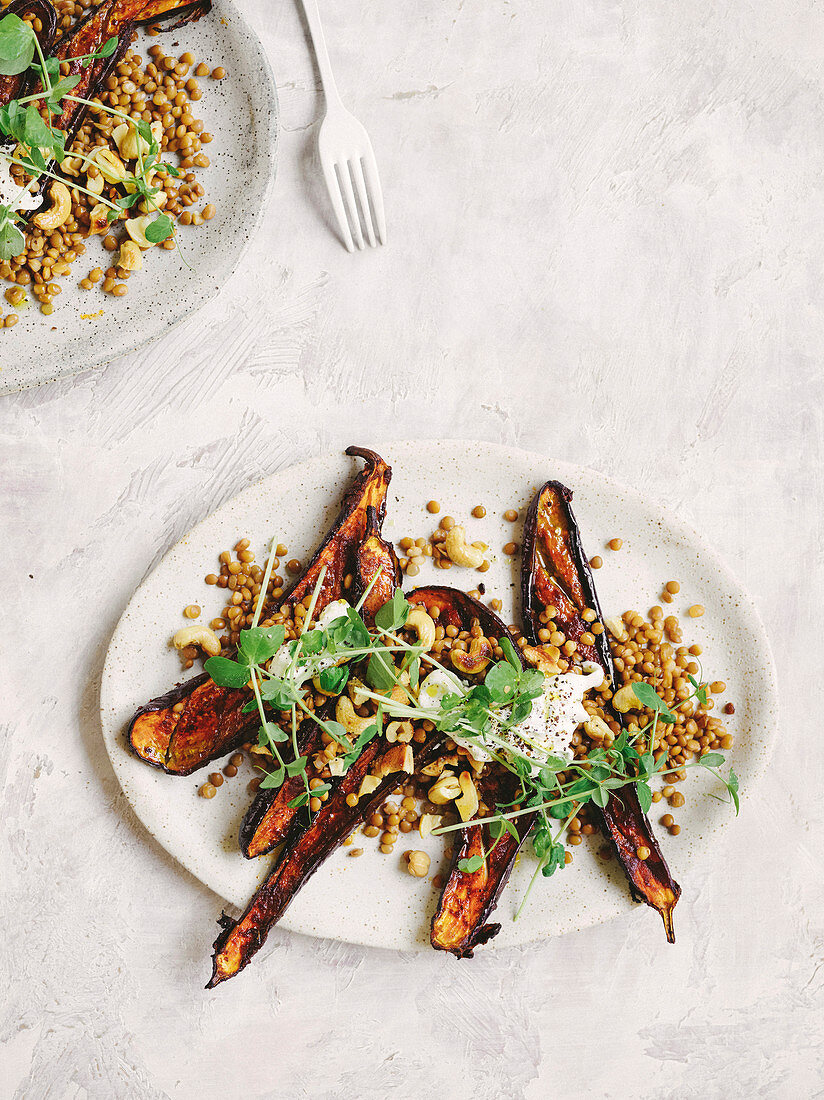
point(346, 156)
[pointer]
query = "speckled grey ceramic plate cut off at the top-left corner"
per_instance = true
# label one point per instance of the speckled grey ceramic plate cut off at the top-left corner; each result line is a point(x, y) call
point(90, 328)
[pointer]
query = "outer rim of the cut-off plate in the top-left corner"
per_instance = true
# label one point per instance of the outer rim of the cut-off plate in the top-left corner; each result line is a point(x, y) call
point(192, 303)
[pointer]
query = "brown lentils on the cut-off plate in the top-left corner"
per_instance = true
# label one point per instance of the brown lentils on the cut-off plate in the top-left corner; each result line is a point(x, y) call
point(161, 90)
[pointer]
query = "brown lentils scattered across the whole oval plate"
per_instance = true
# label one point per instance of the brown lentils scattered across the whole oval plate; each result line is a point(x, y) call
point(644, 648)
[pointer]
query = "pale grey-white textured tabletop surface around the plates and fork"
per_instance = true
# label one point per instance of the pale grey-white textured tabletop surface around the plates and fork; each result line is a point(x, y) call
point(606, 243)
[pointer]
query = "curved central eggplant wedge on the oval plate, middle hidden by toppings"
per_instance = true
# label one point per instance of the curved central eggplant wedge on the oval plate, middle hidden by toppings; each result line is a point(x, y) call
point(460, 923)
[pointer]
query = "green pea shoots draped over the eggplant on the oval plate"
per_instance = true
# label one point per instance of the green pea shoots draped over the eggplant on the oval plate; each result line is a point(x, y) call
point(551, 789)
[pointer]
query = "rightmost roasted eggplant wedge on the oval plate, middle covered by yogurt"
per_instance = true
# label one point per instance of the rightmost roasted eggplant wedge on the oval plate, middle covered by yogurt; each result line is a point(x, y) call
point(556, 573)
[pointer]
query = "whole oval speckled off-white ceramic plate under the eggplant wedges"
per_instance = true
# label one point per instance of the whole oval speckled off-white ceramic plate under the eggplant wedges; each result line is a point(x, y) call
point(371, 900)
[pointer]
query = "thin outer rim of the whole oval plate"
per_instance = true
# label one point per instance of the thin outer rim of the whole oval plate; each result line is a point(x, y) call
point(771, 705)
